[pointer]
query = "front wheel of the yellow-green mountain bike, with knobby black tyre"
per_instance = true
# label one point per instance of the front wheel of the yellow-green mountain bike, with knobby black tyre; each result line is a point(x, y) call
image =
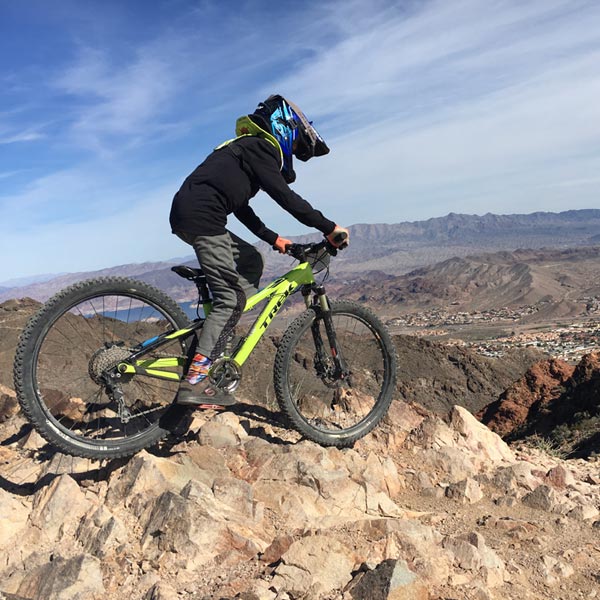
point(335, 396)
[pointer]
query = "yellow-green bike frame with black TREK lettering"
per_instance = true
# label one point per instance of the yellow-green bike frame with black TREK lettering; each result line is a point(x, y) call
point(276, 293)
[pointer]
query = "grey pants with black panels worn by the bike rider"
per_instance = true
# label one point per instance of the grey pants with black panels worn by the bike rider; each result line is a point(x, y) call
point(233, 268)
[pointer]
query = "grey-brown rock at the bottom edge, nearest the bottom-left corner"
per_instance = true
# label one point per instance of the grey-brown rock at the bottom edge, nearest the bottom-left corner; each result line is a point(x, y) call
point(78, 578)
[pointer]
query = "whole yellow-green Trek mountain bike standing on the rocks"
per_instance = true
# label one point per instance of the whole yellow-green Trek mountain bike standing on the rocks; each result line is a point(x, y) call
point(97, 368)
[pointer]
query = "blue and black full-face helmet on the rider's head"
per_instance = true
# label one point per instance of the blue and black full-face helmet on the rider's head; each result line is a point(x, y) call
point(294, 132)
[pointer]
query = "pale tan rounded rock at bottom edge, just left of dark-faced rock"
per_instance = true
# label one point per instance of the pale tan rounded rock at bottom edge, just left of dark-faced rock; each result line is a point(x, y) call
point(314, 565)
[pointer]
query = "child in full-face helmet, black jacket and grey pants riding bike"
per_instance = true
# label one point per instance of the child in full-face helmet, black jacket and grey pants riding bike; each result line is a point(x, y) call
point(260, 158)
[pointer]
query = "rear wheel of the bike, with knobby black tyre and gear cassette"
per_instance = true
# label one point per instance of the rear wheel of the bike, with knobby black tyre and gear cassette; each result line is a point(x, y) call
point(65, 367)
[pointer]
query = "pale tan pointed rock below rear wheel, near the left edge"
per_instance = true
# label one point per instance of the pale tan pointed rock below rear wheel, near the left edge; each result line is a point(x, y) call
point(58, 508)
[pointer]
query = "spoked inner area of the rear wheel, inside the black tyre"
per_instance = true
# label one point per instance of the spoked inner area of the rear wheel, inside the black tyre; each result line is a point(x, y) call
point(83, 344)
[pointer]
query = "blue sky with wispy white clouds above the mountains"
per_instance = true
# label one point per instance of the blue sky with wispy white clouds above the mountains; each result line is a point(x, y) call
point(429, 107)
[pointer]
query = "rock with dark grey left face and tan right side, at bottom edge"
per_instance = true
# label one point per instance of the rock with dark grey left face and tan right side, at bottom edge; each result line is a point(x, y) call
point(390, 580)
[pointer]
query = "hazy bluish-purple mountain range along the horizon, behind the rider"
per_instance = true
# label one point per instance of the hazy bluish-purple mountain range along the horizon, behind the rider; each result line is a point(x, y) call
point(391, 249)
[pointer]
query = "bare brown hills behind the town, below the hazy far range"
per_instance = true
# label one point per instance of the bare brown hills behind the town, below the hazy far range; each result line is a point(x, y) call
point(560, 282)
